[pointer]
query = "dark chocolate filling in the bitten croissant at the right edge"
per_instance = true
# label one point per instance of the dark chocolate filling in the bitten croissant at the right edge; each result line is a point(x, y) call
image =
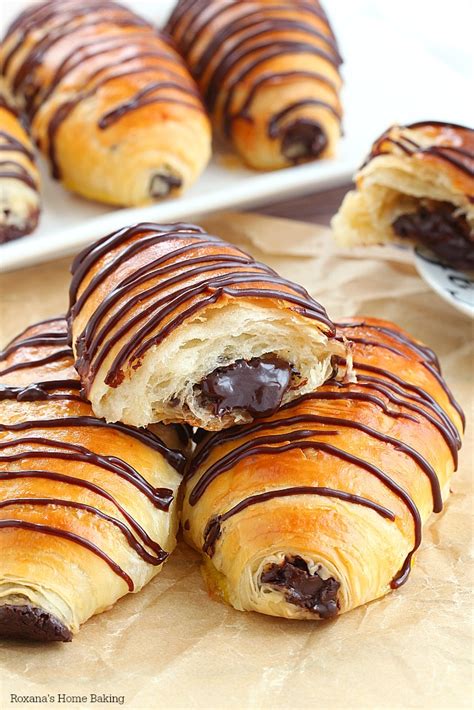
point(438, 228)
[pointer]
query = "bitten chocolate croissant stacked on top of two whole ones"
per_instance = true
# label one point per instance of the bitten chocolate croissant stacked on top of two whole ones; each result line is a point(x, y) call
point(170, 324)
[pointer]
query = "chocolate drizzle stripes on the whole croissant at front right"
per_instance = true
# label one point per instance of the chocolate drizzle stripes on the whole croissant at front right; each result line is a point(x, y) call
point(281, 434)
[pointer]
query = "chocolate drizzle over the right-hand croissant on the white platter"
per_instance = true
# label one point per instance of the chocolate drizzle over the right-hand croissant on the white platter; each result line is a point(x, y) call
point(230, 47)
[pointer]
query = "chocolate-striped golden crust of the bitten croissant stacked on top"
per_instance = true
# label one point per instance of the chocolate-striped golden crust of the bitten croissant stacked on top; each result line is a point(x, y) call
point(145, 316)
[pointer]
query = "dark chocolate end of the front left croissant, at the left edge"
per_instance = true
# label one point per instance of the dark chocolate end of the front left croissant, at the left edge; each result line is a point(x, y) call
point(30, 623)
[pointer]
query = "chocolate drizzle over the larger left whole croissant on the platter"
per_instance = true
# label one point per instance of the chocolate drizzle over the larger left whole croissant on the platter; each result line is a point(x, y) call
point(122, 38)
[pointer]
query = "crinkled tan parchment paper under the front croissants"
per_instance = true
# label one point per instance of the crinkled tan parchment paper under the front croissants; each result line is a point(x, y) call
point(171, 646)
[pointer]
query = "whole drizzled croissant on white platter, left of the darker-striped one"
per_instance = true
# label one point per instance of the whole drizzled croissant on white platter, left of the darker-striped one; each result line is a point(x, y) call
point(111, 103)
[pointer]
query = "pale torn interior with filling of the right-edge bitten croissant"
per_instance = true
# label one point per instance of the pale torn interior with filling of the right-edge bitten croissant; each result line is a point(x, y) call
point(408, 204)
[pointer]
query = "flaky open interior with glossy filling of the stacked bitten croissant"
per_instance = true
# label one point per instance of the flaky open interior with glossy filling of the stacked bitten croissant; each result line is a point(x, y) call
point(240, 362)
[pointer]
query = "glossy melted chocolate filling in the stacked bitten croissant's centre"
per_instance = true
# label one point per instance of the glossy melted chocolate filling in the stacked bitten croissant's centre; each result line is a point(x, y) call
point(256, 385)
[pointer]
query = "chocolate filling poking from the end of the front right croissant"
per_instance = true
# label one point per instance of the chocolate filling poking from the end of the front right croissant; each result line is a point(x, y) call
point(309, 591)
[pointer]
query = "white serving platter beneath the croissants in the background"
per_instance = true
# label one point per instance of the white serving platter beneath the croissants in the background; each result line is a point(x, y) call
point(388, 78)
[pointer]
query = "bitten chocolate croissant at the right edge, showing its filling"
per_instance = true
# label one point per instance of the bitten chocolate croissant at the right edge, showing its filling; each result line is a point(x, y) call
point(417, 185)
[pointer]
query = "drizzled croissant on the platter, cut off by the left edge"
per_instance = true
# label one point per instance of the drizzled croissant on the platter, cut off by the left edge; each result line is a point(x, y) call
point(19, 176)
